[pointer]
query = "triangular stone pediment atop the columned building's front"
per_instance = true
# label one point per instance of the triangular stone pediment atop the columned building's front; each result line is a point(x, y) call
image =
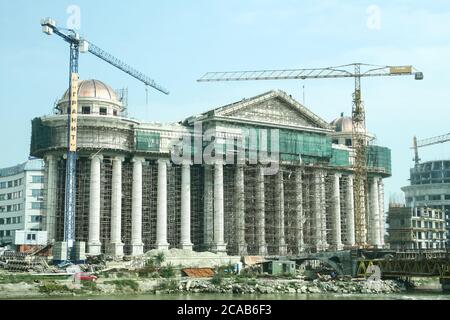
point(275, 107)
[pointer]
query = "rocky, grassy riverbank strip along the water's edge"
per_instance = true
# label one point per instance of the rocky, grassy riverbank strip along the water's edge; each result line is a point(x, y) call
point(37, 288)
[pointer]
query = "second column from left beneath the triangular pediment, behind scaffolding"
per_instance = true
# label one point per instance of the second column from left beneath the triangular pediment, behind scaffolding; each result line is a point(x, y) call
point(239, 206)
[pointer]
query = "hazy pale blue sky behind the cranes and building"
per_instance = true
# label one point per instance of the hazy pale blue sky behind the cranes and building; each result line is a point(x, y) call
point(176, 41)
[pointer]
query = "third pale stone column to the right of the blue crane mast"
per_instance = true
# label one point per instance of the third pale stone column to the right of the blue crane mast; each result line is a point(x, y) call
point(137, 246)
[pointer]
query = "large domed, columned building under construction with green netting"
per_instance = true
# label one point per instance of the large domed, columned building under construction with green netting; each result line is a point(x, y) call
point(135, 192)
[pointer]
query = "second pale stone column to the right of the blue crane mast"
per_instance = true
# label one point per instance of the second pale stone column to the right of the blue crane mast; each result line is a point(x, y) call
point(116, 245)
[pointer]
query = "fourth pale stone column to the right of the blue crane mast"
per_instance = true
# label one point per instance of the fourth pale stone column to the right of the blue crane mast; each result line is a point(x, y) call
point(161, 213)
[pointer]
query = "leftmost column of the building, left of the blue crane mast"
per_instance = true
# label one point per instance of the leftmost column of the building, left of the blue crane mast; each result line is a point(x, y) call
point(52, 180)
